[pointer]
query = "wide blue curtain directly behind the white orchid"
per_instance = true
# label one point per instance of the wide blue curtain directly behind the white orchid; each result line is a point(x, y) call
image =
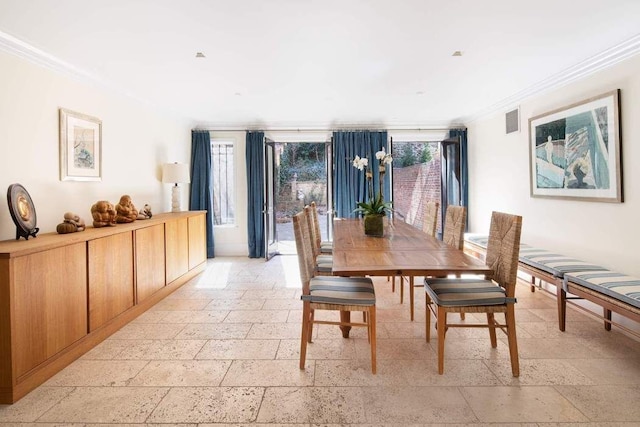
point(349, 183)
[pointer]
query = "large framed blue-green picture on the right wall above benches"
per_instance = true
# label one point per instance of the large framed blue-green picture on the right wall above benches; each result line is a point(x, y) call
point(575, 152)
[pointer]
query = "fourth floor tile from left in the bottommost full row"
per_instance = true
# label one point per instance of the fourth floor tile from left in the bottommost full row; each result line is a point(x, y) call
point(285, 405)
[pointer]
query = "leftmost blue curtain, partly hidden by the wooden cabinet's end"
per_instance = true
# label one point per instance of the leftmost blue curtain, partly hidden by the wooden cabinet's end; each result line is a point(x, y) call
point(201, 197)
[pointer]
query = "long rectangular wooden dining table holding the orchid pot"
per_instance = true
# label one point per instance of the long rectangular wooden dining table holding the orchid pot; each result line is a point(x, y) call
point(403, 250)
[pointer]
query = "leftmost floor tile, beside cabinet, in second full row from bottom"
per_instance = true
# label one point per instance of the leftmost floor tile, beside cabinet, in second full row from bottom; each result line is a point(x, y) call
point(96, 373)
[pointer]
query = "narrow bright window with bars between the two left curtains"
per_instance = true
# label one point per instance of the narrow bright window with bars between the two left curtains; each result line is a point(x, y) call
point(223, 177)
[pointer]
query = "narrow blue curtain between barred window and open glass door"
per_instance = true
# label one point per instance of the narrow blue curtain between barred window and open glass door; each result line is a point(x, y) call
point(255, 191)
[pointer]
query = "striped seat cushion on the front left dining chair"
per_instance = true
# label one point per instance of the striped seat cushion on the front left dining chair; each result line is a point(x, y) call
point(341, 290)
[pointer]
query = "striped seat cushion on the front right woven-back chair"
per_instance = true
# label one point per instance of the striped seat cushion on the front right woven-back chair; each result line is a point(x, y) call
point(465, 292)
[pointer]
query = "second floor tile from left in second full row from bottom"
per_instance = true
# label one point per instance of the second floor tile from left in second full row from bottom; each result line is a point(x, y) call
point(186, 373)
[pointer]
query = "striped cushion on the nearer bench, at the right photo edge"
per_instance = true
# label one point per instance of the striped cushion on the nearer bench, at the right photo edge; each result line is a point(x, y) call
point(616, 285)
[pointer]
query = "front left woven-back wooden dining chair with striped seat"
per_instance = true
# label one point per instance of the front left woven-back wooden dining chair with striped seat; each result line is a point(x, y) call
point(343, 294)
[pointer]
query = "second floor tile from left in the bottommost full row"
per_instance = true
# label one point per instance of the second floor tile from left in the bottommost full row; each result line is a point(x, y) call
point(106, 405)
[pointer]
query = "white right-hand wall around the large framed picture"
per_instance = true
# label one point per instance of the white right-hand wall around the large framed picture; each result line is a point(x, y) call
point(604, 233)
